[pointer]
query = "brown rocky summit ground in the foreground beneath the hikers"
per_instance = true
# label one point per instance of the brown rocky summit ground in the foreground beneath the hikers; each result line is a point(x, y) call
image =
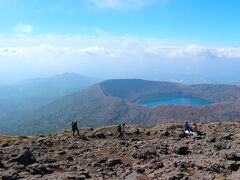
point(160, 152)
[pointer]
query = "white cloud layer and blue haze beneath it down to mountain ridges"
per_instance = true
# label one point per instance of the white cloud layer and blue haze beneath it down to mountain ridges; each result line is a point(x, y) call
point(116, 57)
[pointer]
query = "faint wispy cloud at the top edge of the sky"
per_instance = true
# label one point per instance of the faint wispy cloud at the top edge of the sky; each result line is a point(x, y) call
point(120, 4)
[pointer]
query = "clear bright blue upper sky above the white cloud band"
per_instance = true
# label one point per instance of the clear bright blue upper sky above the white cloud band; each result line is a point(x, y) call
point(191, 20)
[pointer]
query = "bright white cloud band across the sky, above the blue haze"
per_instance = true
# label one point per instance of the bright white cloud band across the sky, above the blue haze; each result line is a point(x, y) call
point(111, 46)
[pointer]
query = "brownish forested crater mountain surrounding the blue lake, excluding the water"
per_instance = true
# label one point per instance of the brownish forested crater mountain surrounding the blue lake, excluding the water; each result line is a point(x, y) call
point(114, 101)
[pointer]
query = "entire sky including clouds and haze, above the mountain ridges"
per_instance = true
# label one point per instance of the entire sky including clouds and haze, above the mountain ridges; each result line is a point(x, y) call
point(193, 41)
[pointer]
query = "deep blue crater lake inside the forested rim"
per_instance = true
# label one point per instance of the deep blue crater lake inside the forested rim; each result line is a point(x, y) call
point(172, 99)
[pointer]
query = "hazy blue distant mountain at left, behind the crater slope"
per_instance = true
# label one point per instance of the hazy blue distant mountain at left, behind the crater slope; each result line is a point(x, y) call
point(18, 100)
